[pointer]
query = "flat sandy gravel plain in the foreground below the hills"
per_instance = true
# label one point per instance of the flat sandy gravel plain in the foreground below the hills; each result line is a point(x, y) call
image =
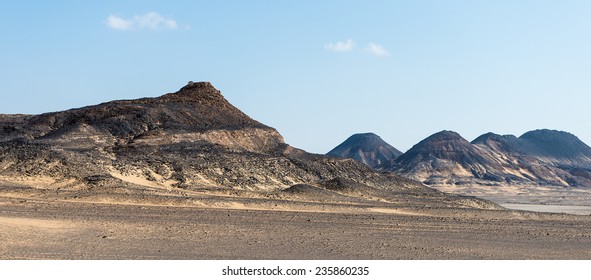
point(43, 229)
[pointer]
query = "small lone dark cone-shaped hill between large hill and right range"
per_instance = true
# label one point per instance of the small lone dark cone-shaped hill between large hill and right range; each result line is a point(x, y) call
point(366, 148)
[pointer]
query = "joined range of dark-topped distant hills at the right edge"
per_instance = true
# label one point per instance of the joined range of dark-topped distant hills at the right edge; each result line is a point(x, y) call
point(541, 157)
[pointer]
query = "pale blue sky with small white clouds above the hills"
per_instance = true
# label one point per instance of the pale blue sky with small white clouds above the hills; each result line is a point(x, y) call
point(317, 71)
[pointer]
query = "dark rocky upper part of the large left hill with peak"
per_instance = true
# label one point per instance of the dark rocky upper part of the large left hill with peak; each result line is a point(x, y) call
point(196, 107)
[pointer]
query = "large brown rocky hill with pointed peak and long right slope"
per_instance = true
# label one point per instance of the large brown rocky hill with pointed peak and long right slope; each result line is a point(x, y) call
point(190, 142)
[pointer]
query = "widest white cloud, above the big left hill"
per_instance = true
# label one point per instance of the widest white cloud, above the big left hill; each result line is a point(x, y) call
point(149, 21)
